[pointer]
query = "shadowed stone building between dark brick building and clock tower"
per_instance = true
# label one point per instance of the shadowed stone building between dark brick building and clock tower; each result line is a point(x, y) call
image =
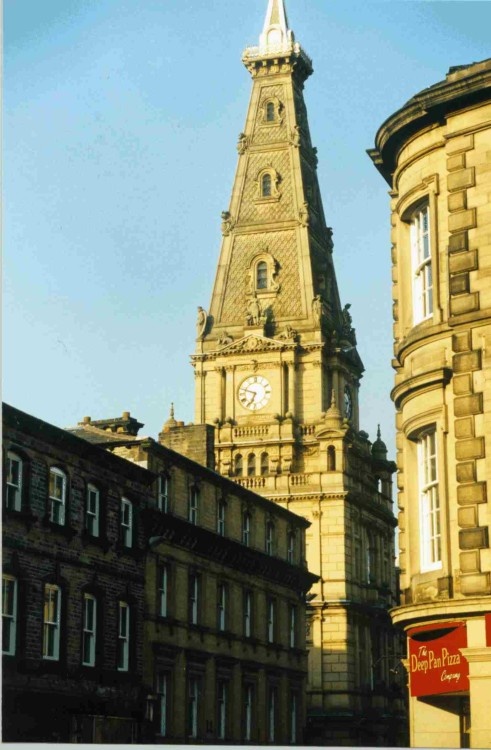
point(226, 582)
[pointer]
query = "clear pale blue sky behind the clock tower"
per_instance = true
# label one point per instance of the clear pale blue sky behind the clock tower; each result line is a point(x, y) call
point(120, 127)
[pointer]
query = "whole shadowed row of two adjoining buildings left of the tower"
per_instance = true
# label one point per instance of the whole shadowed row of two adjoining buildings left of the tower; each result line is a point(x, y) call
point(145, 597)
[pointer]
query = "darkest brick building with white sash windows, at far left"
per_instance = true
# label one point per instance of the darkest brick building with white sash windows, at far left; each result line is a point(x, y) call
point(73, 587)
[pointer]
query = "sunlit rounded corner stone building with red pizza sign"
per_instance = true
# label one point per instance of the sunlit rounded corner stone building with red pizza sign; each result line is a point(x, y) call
point(435, 154)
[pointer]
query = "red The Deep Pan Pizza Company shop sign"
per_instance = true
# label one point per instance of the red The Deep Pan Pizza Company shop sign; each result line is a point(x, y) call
point(435, 662)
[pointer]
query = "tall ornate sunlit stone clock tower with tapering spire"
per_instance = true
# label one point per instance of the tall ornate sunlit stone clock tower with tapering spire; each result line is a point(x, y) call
point(277, 373)
